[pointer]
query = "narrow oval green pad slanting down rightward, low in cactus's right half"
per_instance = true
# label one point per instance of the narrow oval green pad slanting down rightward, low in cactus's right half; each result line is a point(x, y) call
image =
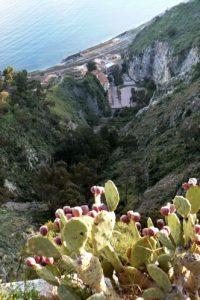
point(160, 277)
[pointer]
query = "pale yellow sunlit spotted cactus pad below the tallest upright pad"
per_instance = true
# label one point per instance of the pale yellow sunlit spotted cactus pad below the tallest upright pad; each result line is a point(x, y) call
point(102, 229)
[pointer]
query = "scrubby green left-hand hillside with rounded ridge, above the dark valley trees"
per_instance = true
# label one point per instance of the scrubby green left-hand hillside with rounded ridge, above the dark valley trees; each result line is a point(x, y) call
point(35, 121)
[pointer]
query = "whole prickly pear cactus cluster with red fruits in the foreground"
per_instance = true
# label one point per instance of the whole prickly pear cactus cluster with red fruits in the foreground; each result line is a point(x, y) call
point(79, 251)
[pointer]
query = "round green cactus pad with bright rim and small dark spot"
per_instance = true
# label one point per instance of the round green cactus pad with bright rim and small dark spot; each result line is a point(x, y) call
point(75, 235)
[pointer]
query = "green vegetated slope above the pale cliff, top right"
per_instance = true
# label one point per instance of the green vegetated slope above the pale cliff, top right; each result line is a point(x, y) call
point(179, 26)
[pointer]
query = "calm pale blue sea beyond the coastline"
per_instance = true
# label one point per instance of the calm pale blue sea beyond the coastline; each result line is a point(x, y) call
point(40, 33)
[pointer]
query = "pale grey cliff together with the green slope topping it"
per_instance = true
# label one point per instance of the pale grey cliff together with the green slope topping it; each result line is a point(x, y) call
point(169, 46)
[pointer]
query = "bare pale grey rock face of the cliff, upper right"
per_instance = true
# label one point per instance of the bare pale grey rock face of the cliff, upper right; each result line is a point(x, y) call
point(158, 63)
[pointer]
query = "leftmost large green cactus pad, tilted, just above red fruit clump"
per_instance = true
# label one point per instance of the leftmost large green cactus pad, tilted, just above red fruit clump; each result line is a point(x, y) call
point(42, 246)
